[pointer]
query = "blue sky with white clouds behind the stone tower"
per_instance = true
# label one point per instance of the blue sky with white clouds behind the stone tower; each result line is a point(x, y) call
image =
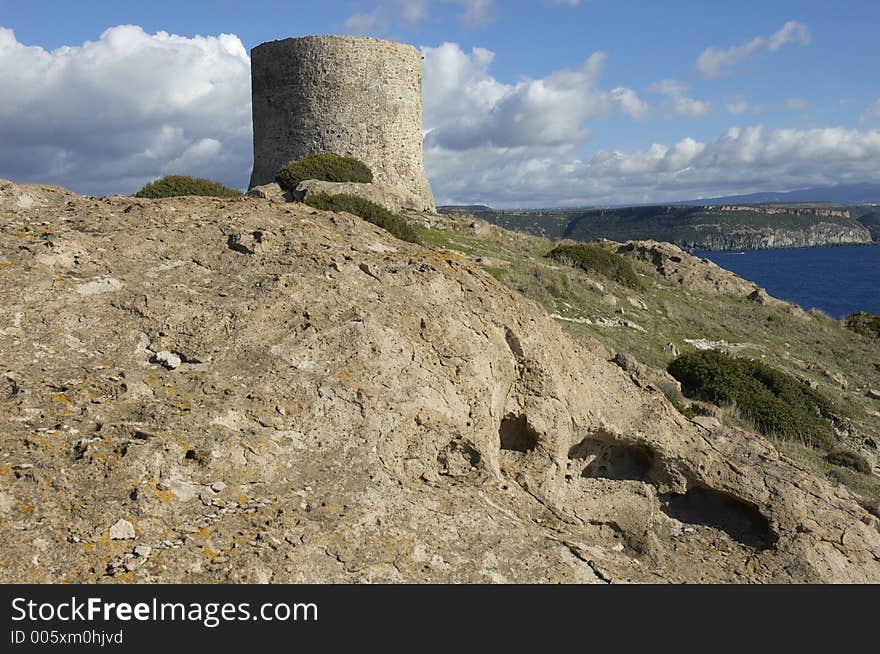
point(527, 103)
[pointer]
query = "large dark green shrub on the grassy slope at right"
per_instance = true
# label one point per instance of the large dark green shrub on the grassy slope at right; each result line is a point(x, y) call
point(778, 404)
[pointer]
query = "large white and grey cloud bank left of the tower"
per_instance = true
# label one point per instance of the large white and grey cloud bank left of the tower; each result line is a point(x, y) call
point(111, 114)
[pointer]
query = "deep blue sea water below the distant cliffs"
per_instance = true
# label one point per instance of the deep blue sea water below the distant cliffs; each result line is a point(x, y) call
point(837, 280)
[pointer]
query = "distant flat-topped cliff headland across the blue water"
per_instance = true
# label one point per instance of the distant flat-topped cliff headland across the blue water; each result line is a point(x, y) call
point(717, 227)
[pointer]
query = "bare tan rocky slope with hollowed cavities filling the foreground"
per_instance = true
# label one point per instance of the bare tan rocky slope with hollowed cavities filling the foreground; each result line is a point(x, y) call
point(202, 390)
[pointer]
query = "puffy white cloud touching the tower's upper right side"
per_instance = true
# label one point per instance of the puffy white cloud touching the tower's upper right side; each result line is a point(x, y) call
point(466, 107)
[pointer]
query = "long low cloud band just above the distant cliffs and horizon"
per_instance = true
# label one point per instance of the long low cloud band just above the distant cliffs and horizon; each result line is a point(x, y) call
point(742, 160)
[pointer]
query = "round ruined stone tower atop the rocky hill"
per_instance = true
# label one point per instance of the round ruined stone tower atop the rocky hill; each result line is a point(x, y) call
point(351, 96)
